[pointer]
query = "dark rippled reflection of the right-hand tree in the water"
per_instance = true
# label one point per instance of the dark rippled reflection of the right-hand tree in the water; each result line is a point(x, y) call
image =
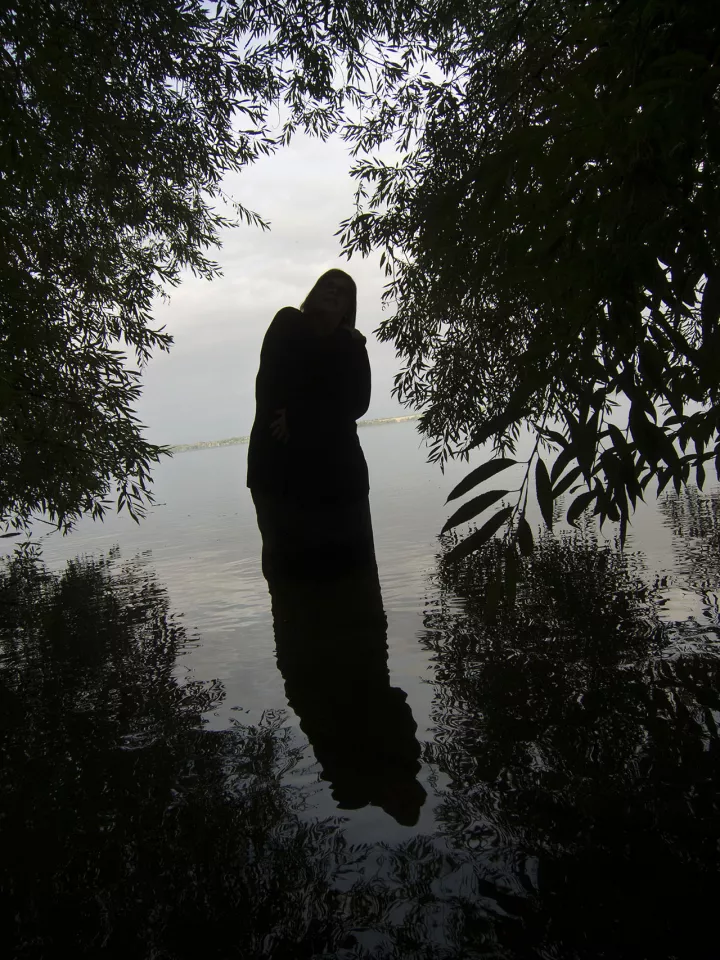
point(583, 751)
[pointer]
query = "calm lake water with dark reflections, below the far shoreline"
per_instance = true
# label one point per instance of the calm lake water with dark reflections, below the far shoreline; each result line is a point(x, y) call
point(559, 746)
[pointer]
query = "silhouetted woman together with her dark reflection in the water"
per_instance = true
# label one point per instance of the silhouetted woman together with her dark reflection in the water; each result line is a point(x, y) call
point(309, 483)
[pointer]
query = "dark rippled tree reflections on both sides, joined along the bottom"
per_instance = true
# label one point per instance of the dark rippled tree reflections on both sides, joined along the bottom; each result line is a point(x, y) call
point(582, 816)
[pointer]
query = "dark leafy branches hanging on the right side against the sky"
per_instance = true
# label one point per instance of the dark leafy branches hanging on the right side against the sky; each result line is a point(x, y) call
point(551, 236)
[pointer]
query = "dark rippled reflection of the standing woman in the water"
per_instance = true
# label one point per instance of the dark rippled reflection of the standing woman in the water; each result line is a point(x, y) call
point(331, 641)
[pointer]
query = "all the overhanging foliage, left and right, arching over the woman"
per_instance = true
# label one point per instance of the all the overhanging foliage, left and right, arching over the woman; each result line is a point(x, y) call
point(549, 225)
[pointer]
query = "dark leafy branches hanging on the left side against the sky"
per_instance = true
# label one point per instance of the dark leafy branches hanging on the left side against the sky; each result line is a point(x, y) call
point(117, 125)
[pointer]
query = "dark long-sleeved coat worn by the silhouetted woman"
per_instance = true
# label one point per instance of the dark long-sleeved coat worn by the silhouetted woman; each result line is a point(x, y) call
point(324, 385)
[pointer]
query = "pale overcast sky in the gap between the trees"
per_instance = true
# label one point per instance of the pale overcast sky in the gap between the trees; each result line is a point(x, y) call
point(204, 388)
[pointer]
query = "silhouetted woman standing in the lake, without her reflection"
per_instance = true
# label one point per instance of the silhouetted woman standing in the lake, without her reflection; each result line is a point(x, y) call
point(306, 470)
